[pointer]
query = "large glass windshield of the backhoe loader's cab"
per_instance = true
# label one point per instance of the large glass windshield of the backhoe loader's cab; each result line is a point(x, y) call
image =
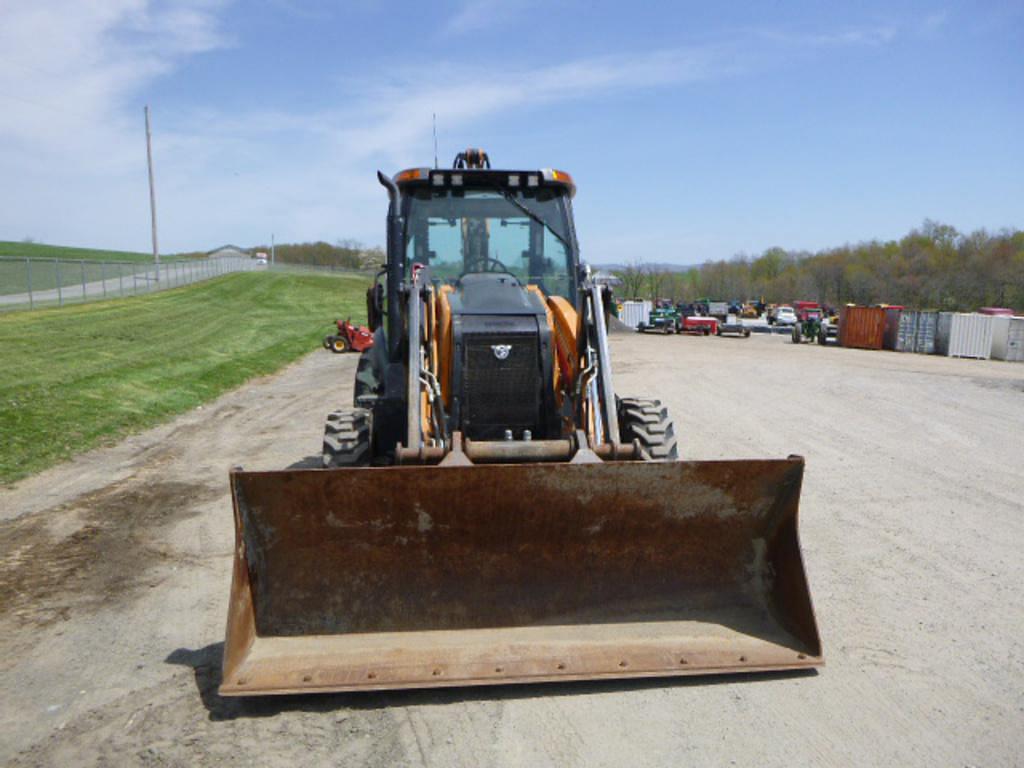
point(525, 233)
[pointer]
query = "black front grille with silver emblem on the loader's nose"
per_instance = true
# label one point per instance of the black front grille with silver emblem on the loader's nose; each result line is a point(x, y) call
point(501, 395)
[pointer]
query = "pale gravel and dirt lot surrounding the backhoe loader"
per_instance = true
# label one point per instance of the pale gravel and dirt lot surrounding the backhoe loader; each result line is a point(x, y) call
point(114, 576)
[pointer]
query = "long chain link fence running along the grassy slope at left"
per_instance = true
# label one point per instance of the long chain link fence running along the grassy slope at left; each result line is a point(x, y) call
point(31, 283)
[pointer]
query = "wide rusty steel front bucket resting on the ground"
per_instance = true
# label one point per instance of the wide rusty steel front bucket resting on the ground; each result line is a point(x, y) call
point(431, 576)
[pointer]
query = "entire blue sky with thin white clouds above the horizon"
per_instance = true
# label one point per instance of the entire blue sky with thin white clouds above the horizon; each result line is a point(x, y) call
point(694, 132)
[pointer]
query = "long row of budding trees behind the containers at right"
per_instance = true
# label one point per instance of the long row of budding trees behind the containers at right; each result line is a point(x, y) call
point(934, 267)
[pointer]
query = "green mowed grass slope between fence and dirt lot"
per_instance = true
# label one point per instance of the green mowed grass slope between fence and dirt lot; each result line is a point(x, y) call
point(72, 379)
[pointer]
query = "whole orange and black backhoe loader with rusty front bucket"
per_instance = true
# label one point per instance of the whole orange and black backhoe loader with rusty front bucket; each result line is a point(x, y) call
point(491, 510)
